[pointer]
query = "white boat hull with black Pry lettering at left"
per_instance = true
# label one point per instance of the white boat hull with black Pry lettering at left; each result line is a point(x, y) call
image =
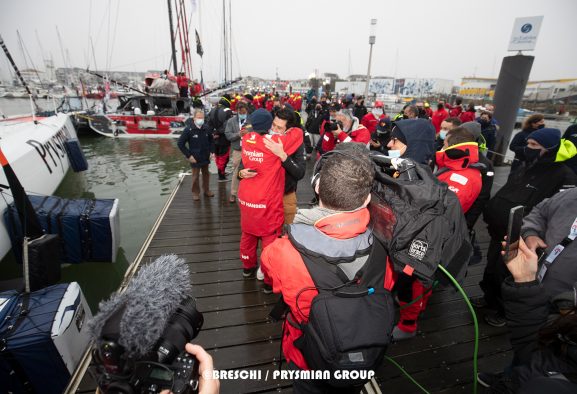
point(38, 157)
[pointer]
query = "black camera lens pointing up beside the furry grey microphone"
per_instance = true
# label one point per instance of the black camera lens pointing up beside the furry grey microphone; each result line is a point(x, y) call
point(182, 327)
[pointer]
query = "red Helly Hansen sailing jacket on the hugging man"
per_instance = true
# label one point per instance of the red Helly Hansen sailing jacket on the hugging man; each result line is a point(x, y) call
point(261, 197)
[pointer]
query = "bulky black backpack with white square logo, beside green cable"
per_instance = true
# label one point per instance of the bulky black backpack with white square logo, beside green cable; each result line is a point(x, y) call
point(421, 223)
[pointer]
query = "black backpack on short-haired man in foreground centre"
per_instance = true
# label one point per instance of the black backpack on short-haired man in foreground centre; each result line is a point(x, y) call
point(350, 322)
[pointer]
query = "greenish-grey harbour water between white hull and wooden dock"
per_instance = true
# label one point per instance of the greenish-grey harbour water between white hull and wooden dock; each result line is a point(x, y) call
point(141, 174)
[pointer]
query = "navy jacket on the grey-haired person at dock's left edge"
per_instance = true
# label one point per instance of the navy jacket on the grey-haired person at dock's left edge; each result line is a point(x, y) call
point(196, 142)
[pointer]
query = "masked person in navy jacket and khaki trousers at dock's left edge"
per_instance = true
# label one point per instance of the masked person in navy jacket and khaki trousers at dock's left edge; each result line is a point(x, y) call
point(197, 146)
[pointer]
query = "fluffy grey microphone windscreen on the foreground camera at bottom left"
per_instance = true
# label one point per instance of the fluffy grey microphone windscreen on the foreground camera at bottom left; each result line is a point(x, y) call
point(150, 299)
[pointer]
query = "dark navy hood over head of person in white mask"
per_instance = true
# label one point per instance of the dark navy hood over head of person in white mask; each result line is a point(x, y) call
point(420, 136)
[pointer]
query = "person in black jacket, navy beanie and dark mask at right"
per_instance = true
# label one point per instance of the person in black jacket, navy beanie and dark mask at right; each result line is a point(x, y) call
point(540, 177)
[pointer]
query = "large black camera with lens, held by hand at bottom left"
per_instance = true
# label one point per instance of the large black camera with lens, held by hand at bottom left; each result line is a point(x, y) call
point(166, 366)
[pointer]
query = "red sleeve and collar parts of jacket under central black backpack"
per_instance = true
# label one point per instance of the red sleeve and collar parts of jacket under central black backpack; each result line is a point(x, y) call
point(289, 275)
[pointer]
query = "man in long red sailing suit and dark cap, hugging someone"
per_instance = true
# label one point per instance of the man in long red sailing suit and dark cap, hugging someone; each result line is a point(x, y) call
point(260, 193)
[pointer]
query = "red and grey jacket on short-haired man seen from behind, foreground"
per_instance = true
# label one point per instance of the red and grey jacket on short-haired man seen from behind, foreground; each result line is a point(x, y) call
point(328, 233)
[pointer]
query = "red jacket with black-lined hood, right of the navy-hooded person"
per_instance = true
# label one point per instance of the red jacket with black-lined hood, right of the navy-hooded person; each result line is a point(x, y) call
point(465, 182)
